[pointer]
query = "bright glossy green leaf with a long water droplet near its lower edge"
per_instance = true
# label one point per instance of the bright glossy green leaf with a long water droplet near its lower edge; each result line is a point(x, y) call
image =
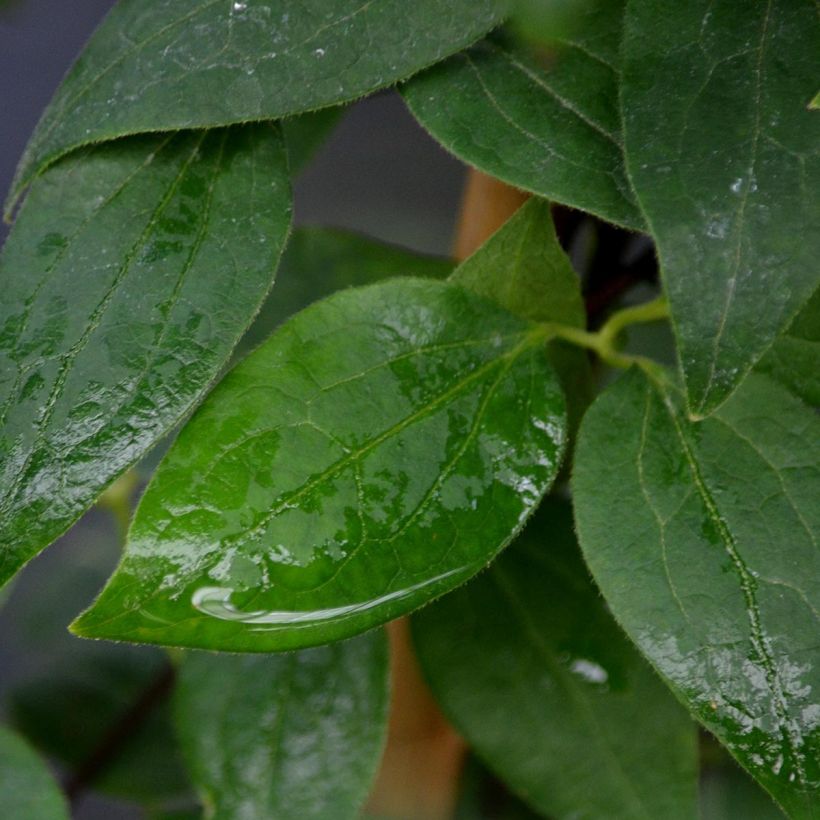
point(376, 452)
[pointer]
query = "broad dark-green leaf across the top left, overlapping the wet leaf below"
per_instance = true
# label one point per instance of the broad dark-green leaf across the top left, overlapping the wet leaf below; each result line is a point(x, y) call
point(155, 65)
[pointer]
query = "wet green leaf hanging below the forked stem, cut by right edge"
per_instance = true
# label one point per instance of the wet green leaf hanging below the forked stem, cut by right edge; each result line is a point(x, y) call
point(703, 539)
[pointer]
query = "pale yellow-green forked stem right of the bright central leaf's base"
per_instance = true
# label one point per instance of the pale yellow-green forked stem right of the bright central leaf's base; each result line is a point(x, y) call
point(604, 342)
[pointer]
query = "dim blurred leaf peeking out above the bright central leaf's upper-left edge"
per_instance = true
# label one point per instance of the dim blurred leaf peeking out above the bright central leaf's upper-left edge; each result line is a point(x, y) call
point(320, 261)
